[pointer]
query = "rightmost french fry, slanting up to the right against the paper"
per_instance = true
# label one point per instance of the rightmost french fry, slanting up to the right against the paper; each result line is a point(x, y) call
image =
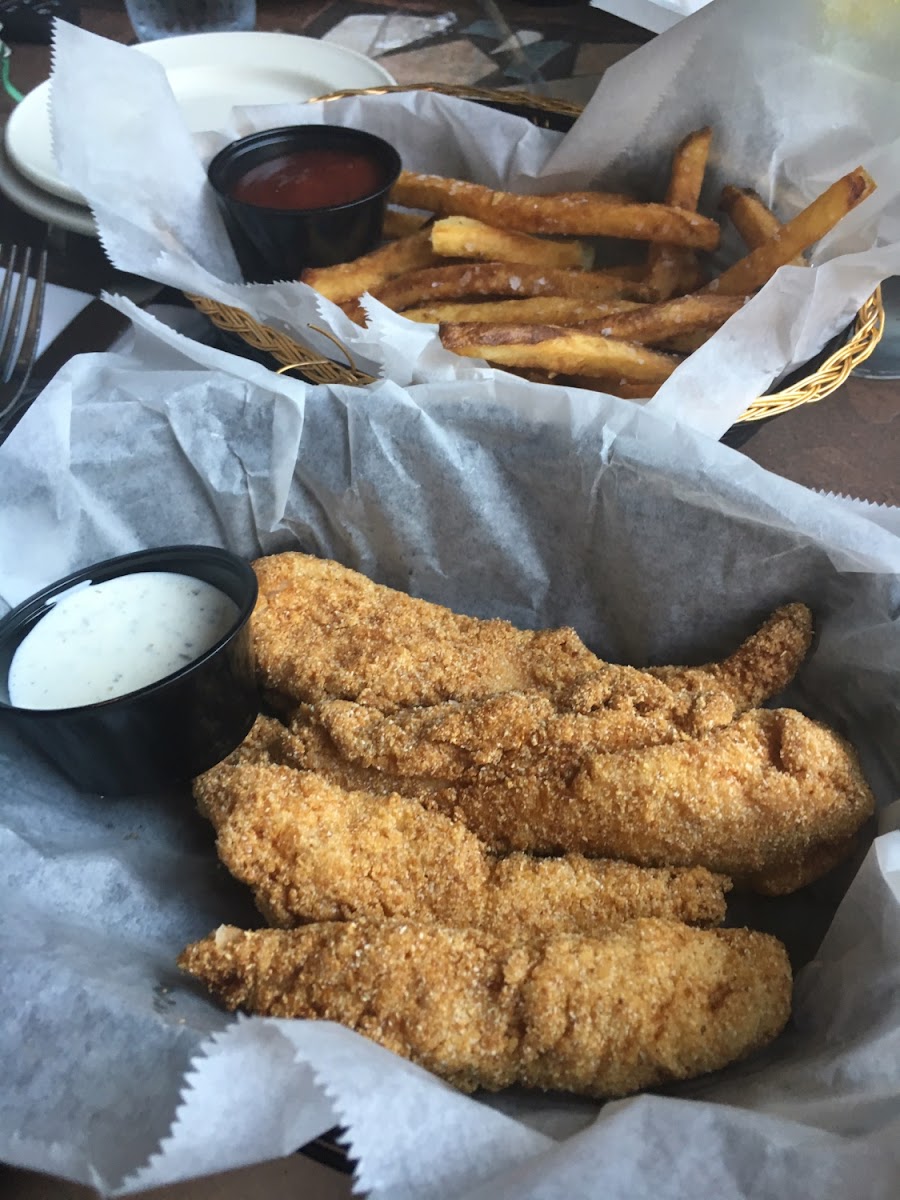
point(796, 236)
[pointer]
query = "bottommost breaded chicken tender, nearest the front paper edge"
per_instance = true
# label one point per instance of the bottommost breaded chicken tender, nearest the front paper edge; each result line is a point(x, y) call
point(640, 1006)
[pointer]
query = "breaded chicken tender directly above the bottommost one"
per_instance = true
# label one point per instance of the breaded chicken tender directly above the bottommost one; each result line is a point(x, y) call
point(313, 851)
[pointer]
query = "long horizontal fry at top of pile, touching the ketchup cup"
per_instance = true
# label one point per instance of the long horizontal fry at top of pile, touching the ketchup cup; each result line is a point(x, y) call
point(577, 214)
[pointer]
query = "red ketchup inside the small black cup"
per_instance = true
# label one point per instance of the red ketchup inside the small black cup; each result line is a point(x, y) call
point(310, 179)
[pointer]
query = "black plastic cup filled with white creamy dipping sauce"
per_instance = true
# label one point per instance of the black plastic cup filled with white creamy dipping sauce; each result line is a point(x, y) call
point(135, 674)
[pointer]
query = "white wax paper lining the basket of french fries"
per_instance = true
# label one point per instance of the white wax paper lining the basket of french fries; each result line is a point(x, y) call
point(797, 97)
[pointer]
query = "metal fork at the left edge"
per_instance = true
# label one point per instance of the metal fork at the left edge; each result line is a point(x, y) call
point(20, 322)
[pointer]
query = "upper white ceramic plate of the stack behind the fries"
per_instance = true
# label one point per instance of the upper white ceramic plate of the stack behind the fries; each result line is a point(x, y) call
point(209, 74)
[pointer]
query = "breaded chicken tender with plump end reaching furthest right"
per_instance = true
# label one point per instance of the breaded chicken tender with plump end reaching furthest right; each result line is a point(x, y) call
point(775, 799)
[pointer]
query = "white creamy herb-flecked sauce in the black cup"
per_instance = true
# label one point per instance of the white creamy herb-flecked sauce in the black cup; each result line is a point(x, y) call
point(106, 640)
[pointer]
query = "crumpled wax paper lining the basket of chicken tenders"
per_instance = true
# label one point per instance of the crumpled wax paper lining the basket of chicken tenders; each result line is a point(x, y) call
point(523, 502)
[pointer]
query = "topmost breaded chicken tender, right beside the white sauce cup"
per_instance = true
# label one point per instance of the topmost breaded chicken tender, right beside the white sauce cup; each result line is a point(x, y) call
point(322, 632)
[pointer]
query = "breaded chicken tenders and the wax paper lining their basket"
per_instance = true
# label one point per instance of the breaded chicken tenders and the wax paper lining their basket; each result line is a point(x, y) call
point(550, 861)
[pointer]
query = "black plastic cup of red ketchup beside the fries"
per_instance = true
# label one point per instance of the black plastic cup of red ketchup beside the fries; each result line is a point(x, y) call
point(303, 196)
